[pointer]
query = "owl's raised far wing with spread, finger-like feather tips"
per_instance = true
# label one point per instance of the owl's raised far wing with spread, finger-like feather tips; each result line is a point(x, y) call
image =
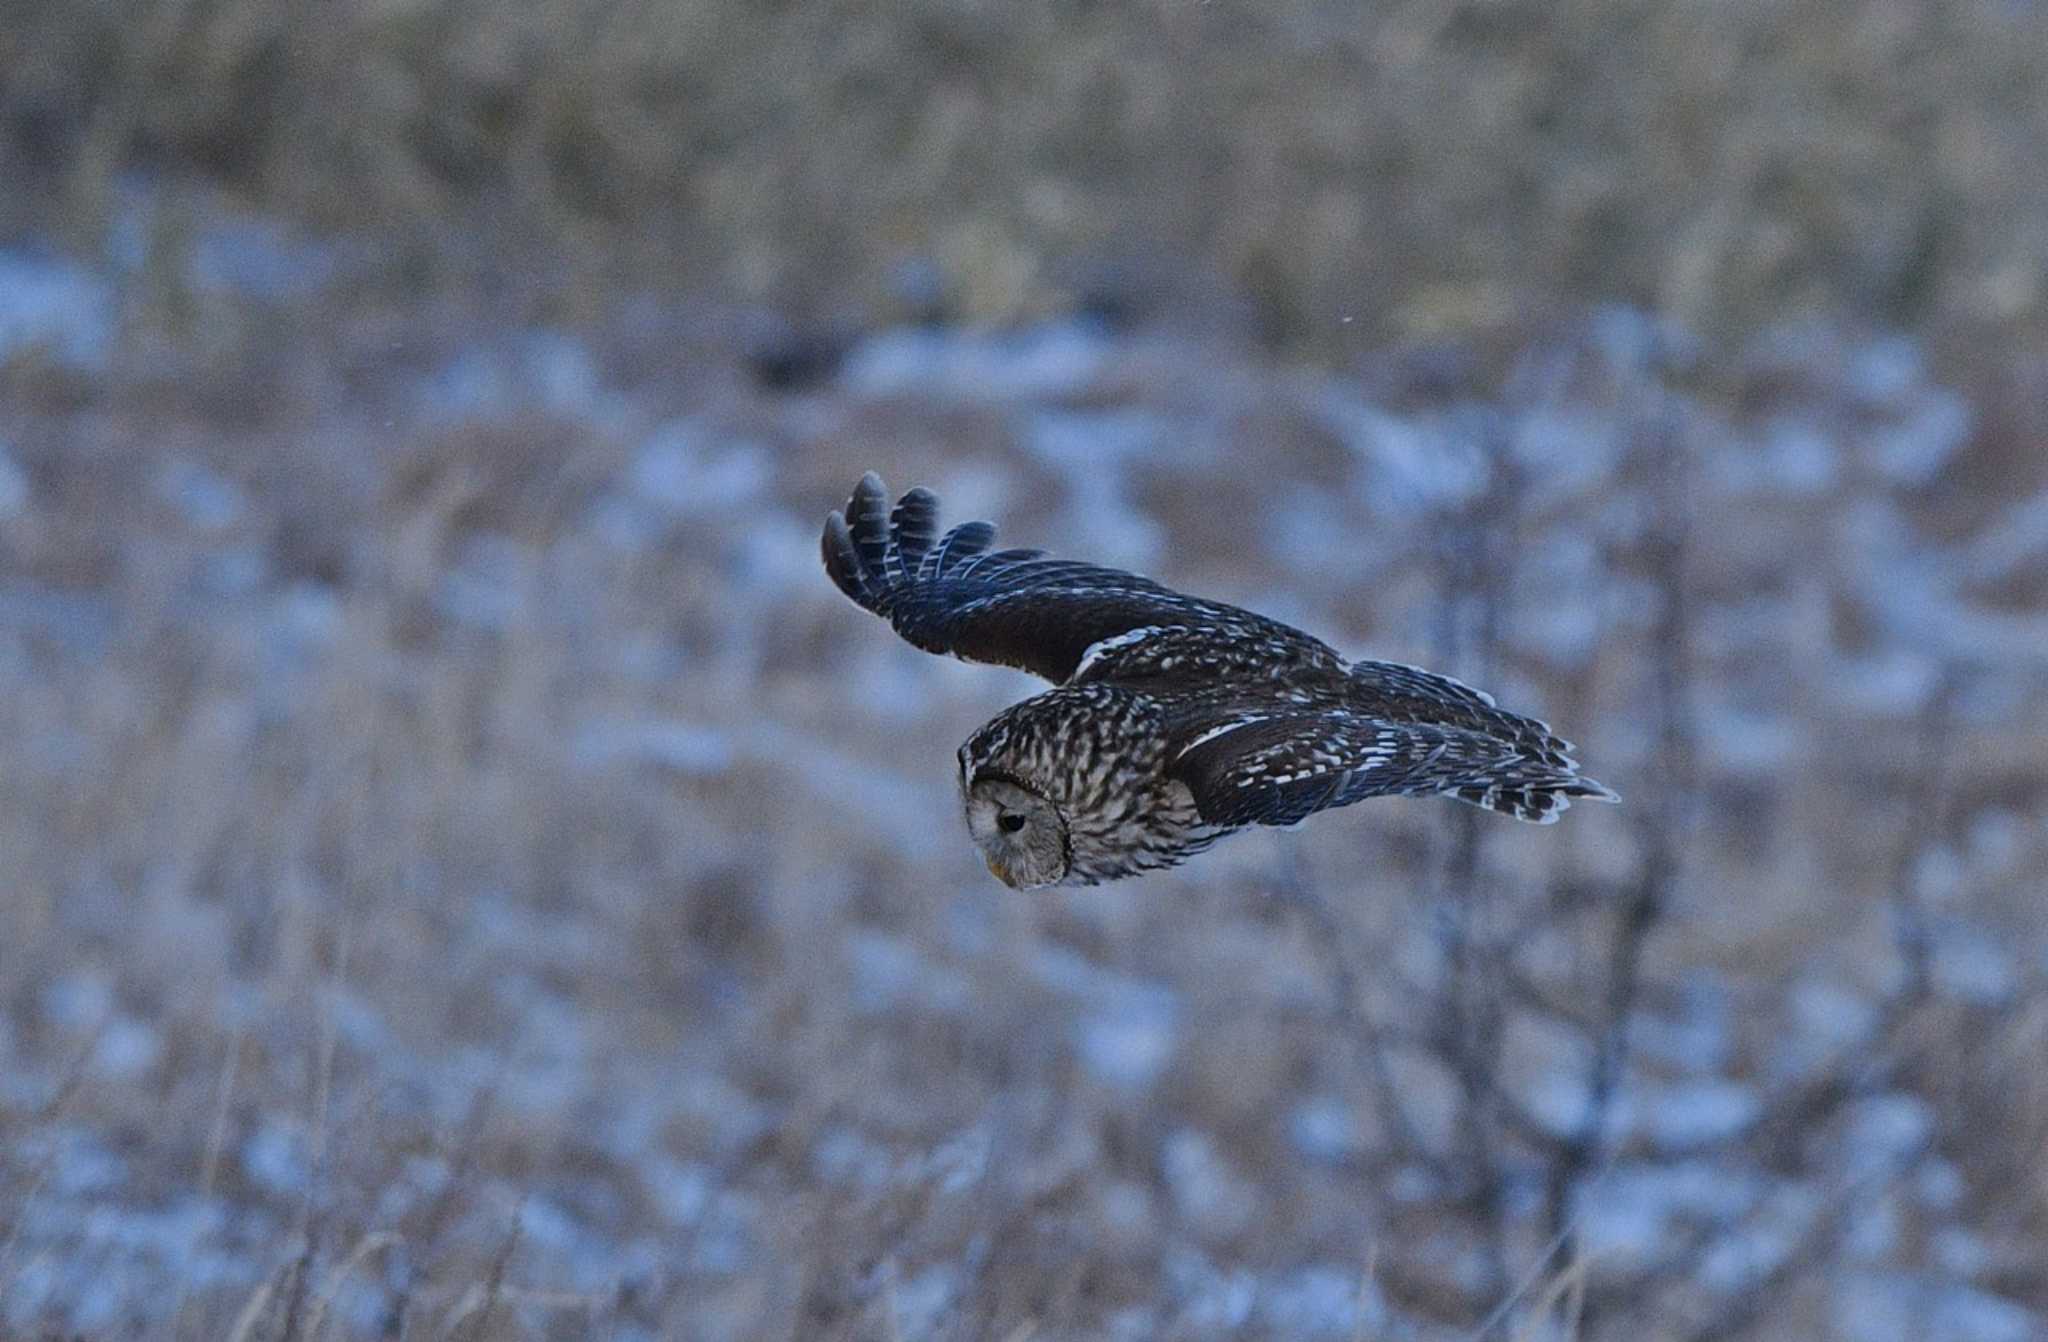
point(1015, 607)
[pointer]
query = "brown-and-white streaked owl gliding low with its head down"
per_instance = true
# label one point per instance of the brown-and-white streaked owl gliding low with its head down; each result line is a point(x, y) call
point(1172, 720)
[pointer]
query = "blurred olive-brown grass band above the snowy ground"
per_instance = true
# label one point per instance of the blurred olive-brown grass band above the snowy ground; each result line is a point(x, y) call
point(1406, 171)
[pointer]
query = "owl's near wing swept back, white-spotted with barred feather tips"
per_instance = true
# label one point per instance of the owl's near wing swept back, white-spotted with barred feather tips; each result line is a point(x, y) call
point(1281, 767)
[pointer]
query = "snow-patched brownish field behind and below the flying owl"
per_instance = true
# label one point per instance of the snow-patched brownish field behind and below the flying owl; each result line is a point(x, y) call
point(466, 868)
